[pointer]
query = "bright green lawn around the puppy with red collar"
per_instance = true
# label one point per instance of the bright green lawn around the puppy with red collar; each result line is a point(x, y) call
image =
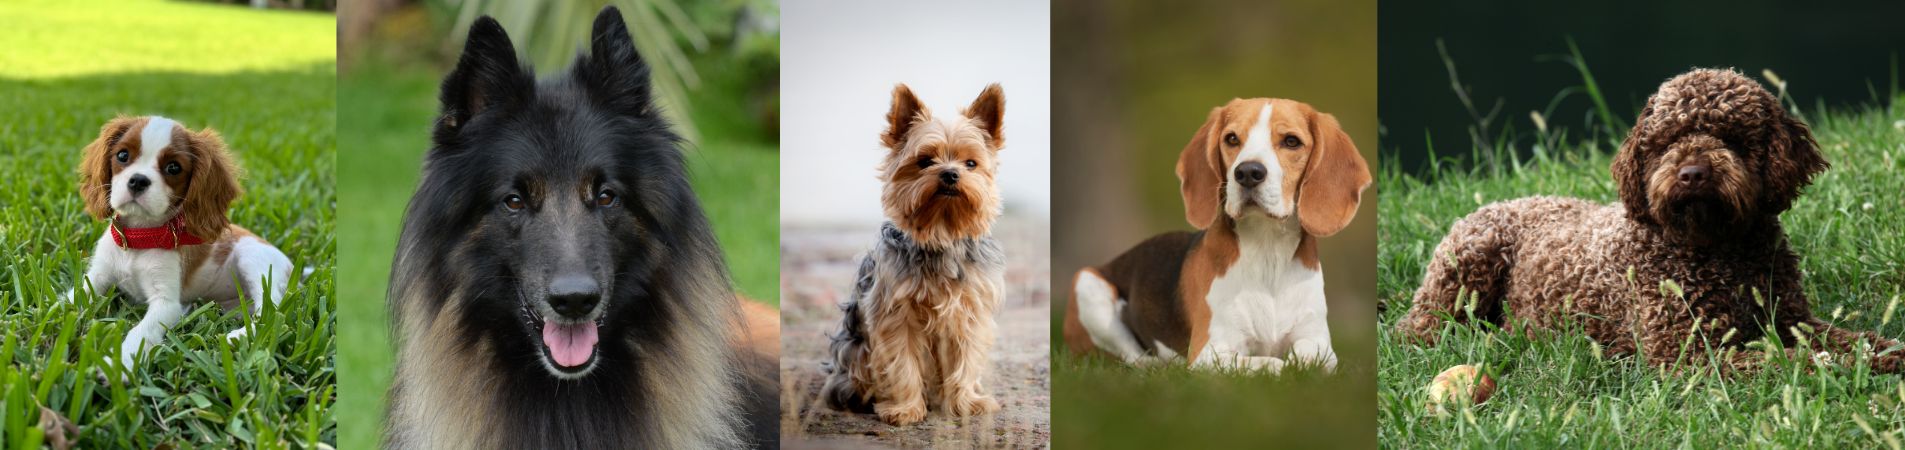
point(266, 81)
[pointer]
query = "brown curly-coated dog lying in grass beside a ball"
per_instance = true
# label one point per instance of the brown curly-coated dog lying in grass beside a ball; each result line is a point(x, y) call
point(1710, 167)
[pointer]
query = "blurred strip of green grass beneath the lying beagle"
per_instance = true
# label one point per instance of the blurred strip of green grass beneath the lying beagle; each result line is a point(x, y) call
point(1102, 403)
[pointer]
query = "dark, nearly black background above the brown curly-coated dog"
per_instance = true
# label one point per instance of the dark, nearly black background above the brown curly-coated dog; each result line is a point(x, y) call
point(1514, 58)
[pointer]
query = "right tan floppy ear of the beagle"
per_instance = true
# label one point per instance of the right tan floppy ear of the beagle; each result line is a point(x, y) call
point(1333, 182)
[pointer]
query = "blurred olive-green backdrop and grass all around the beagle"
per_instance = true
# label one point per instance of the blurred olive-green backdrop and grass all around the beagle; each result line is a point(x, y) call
point(1138, 81)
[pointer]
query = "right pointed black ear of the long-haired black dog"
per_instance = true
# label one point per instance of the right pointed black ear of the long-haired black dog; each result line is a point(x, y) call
point(614, 70)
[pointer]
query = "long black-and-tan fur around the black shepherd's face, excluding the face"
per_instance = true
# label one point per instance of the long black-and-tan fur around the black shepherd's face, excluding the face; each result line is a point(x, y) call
point(666, 375)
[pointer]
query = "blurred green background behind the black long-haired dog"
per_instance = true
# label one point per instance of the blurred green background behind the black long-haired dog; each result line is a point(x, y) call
point(717, 72)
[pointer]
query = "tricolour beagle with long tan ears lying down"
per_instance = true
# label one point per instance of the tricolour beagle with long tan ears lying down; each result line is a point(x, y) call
point(1262, 180)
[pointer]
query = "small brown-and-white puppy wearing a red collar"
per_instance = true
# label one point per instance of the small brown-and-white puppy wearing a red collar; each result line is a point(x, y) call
point(165, 192)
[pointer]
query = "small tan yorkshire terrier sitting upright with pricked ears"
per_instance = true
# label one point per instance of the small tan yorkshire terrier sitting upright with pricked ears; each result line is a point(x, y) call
point(919, 321)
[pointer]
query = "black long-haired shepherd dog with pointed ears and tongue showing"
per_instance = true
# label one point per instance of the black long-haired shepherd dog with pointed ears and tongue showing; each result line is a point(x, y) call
point(557, 283)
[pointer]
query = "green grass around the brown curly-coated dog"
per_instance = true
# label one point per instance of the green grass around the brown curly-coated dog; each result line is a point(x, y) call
point(1555, 390)
